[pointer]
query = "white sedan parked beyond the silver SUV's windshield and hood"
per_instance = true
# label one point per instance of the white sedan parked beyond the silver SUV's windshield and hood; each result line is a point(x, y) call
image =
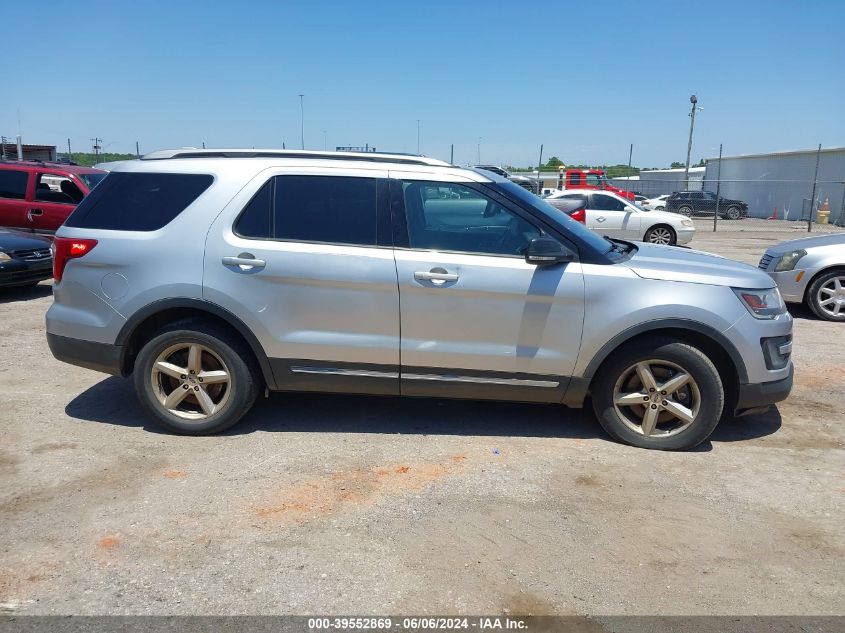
point(611, 215)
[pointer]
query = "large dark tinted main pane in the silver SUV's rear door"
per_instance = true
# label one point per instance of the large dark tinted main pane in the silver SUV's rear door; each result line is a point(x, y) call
point(332, 209)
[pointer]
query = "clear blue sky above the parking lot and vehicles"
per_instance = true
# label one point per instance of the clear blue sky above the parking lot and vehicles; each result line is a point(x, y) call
point(584, 79)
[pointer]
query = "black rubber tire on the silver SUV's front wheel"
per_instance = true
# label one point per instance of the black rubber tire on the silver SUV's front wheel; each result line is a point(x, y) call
point(706, 403)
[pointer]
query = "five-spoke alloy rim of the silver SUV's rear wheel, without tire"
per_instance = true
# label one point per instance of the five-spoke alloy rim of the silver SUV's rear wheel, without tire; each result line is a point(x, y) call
point(191, 381)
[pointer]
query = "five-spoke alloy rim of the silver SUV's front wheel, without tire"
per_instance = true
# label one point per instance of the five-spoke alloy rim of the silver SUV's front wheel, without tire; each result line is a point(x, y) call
point(656, 398)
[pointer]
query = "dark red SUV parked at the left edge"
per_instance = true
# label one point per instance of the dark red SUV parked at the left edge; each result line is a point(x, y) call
point(38, 197)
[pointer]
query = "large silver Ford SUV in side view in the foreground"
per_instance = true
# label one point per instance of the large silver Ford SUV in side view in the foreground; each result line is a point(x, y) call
point(212, 276)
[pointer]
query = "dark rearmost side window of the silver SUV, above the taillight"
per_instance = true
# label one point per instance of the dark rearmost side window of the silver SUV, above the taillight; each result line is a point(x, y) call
point(127, 201)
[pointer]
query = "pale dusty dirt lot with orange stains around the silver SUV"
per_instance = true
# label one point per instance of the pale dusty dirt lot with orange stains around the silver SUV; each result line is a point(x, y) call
point(365, 505)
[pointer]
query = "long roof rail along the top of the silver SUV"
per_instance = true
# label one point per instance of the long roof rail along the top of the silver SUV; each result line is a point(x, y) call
point(378, 157)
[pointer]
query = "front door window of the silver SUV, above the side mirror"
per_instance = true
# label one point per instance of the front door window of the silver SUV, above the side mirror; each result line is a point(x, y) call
point(464, 221)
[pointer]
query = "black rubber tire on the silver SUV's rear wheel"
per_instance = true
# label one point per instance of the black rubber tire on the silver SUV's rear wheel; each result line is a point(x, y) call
point(220, 348)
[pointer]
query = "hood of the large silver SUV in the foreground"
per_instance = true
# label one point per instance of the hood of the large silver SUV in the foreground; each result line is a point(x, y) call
point(670, 263)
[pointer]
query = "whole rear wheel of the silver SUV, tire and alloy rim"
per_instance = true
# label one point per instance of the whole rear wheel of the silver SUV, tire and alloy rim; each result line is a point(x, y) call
point(195, 379)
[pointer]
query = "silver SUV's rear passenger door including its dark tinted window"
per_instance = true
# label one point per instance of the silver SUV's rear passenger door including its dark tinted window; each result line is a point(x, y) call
point(305, 259)
